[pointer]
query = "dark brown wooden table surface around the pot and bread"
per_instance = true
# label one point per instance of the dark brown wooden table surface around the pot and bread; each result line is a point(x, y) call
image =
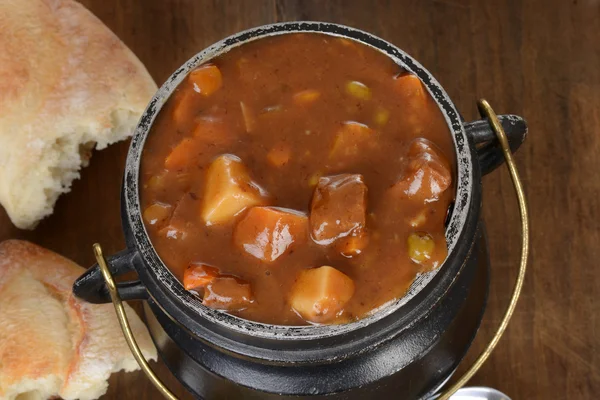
point(539, 59)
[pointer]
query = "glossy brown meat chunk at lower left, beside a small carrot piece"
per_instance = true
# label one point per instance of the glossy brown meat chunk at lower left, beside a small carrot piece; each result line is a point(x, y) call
point(227, 293)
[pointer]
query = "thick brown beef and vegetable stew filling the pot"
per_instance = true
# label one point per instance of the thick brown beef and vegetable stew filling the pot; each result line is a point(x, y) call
point(298, 179)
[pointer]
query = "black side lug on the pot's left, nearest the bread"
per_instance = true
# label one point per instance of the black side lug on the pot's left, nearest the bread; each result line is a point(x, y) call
point(91, 287)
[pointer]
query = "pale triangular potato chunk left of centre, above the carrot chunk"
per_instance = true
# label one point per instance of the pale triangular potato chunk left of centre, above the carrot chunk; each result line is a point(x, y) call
point(229, 189)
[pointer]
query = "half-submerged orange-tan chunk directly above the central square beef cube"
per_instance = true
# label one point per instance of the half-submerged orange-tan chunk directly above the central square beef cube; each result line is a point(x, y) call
point(351, 139)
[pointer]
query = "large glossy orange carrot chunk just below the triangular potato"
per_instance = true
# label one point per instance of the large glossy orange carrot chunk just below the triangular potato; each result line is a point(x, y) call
point(267, 233)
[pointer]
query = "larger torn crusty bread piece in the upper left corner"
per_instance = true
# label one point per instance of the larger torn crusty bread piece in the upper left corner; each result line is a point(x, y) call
point(67, 83)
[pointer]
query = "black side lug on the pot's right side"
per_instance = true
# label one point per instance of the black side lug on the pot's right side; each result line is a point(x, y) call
point(489, 151)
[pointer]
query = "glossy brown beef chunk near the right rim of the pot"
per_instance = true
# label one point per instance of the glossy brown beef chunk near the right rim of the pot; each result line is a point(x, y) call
point(427, 175)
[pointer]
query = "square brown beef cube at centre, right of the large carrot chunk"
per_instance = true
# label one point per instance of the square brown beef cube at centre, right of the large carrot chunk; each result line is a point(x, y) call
point(338, 208)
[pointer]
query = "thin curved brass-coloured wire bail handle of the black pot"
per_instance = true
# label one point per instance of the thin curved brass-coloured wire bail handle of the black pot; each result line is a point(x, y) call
point(486, 111)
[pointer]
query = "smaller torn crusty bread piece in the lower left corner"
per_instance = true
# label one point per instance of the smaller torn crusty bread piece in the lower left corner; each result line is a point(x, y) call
point(52, 343)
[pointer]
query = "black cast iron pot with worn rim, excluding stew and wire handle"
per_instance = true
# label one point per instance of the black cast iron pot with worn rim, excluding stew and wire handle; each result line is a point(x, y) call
point(404, 351)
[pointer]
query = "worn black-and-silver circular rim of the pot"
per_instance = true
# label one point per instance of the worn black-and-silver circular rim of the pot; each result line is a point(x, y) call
point(171, 284)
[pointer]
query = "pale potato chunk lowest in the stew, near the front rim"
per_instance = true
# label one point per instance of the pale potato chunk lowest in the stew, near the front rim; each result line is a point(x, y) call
point(320, 294)
